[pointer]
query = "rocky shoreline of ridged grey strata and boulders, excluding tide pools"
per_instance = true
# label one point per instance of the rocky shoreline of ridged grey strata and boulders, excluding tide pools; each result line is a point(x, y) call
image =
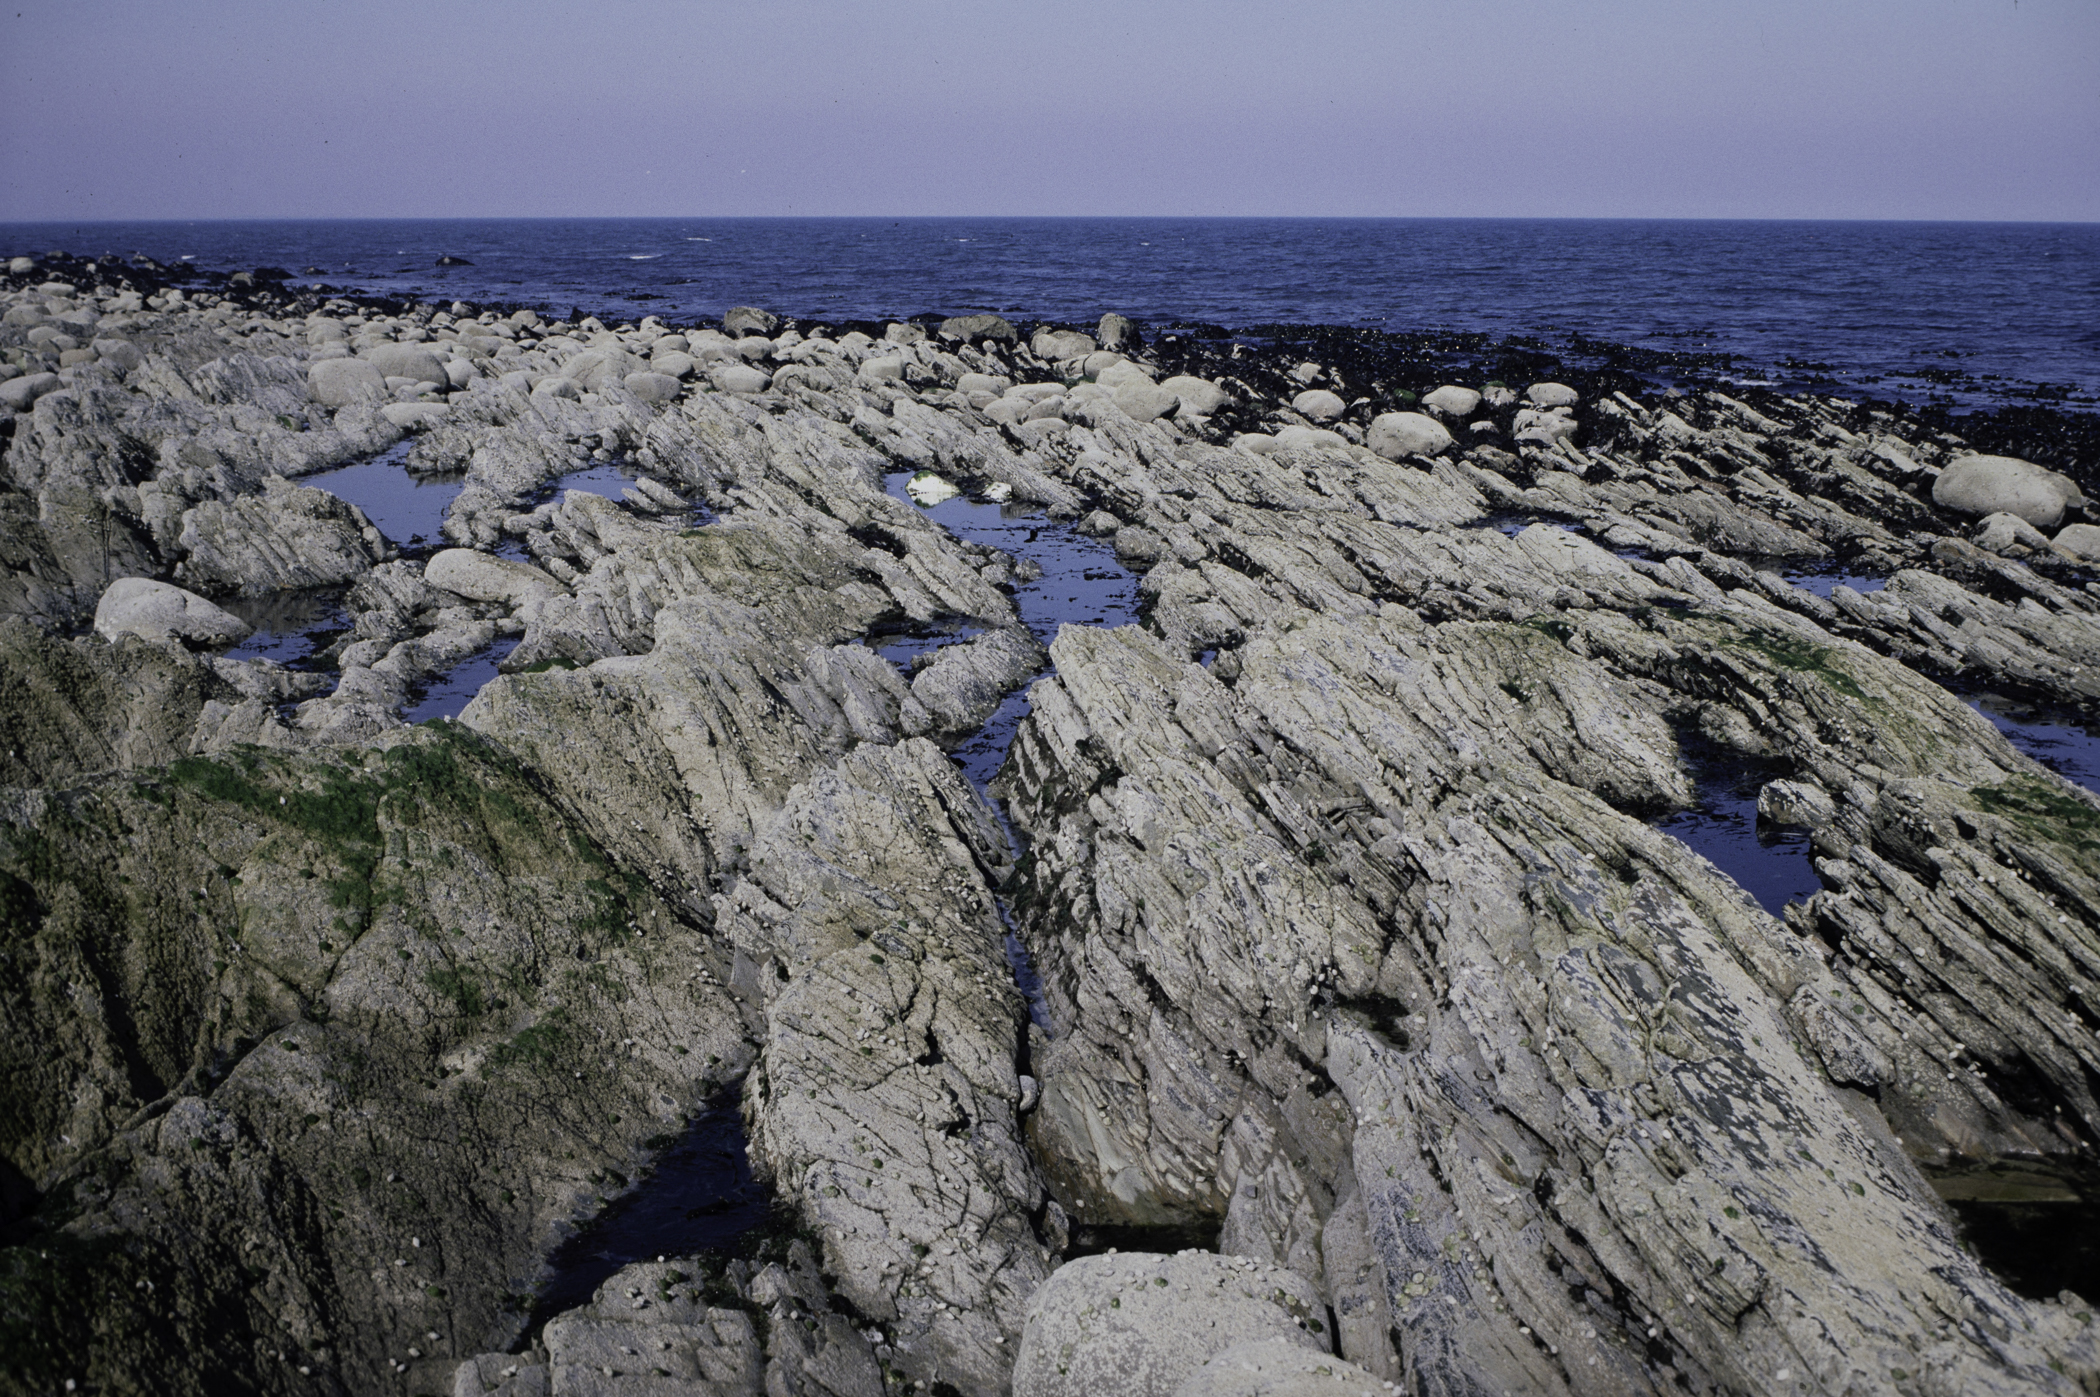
point(1358, 940)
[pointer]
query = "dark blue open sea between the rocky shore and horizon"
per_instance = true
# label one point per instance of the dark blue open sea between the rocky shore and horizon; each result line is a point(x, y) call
point(1977, 314)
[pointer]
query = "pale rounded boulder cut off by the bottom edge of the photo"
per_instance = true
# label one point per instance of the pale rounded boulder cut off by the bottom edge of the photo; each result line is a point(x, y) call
point(1139, 1325)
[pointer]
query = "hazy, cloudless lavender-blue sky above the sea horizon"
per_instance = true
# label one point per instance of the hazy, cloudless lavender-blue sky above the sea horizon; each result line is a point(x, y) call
point(1408, 108)
